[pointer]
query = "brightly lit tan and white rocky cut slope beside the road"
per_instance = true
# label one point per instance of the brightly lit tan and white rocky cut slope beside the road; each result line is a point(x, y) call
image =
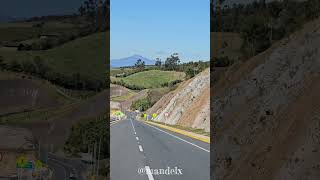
point(188, 105)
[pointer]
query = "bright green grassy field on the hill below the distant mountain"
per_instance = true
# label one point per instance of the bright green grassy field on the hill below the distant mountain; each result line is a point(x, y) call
point(151, 79)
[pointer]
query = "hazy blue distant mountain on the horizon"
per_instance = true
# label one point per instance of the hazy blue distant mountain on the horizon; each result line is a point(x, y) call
point(130, 61)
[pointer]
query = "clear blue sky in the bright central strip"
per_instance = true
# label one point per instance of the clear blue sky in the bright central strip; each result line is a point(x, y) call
point(158, 28)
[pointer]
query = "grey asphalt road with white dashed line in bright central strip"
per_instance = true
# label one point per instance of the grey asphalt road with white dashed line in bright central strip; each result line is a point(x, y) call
point(136, 146)
